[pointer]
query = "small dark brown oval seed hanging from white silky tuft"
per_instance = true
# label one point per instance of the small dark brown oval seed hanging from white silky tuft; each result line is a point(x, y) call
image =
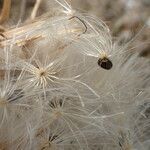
point(105, 63)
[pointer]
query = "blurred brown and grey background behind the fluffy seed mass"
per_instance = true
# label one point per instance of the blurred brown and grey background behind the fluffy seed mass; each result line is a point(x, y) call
point(126, 19)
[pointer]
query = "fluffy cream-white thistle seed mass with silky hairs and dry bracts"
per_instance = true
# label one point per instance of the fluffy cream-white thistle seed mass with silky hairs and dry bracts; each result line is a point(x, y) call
point(66, 84)
